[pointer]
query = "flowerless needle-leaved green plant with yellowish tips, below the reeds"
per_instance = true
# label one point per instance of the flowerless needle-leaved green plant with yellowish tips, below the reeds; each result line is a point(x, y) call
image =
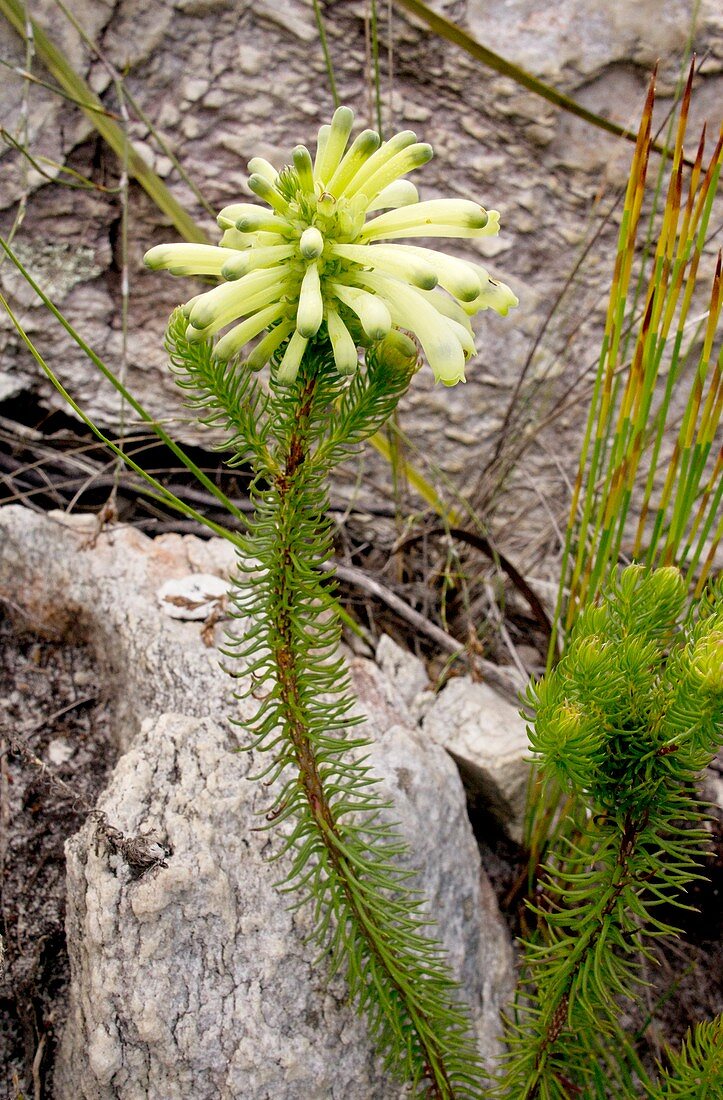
point(625, 724)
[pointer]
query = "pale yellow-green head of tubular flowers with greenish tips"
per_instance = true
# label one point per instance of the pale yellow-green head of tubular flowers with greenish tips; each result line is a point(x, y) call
point(312, 257)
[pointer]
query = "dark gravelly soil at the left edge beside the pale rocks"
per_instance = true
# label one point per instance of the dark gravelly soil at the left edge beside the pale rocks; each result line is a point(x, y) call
point(51, 699)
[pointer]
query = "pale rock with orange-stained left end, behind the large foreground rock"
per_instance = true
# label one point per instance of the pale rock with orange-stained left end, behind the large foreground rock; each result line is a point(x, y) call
point(107, 595)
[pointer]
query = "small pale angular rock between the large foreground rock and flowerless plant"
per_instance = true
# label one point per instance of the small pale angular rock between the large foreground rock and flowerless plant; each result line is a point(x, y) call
point(489, 740)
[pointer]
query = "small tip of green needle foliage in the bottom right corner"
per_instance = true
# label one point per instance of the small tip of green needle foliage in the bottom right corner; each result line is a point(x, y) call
point(696, 1073)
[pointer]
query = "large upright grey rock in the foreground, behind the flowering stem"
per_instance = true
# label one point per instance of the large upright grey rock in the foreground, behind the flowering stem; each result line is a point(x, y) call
point(195, 981)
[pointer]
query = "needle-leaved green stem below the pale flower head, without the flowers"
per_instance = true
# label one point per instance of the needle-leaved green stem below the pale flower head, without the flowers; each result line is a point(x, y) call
point(342, 854)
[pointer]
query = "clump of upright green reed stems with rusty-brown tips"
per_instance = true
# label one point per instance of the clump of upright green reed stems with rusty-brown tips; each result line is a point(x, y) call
point(623, 463)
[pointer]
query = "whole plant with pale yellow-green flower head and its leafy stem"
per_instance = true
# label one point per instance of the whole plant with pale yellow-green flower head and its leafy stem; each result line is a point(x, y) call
point(313, 279)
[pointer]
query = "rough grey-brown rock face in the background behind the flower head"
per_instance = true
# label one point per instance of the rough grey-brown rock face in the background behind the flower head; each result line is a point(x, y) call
point(223, 82)
